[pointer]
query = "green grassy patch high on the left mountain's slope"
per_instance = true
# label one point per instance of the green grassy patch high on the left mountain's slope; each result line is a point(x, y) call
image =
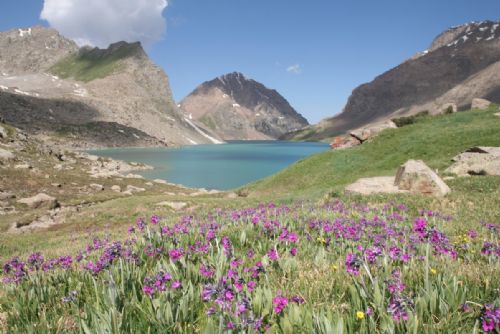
point(93, 64)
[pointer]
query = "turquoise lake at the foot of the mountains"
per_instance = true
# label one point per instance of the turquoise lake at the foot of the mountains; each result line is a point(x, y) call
point(224, 166)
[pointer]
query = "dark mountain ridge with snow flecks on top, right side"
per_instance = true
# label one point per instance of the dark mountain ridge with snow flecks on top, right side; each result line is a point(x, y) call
point(462, 63)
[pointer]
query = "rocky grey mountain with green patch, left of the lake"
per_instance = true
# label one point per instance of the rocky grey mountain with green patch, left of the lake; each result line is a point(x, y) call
point(120, 85)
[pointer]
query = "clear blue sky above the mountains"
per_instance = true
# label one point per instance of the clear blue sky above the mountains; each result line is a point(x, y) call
point(337, 45)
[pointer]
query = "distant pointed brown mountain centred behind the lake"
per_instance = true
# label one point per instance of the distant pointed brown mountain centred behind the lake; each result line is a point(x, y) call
point(238, 108)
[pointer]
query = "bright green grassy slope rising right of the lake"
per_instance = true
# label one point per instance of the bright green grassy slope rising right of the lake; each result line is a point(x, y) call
point(434, 139)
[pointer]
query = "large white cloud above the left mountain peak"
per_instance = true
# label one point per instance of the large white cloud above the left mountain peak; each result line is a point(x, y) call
point(102, 22)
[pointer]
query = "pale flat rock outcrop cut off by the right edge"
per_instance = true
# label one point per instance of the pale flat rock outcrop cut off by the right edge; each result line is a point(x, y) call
point(477, 161)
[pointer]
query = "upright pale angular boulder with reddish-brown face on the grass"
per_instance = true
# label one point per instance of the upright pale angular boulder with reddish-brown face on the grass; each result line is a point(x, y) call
point(416, 177)
